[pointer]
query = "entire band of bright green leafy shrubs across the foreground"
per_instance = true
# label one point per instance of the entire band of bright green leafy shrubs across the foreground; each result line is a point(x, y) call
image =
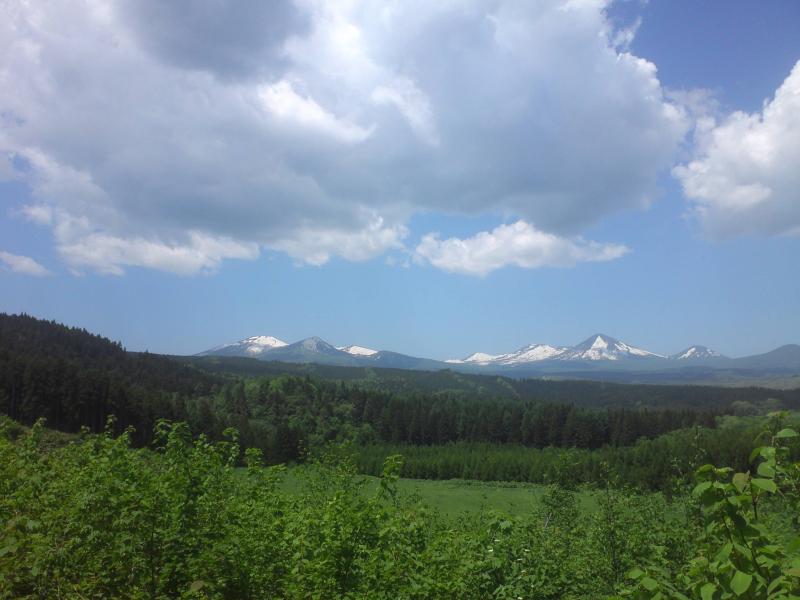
point(98, 518)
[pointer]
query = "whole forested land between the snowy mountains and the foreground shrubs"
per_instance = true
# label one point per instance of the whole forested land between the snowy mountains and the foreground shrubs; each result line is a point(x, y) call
point(473, 426)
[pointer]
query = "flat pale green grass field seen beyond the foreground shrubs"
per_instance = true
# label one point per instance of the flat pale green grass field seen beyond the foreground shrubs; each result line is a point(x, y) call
point(454, 497)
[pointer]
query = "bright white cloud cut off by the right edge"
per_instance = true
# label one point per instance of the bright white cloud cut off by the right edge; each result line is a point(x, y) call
point(745, 178)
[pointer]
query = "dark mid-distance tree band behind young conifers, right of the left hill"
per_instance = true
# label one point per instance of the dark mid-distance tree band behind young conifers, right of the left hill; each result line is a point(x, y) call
point(288, 415)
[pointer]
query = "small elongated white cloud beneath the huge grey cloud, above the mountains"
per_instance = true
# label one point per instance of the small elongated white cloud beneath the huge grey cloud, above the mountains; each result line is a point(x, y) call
point(518, 244)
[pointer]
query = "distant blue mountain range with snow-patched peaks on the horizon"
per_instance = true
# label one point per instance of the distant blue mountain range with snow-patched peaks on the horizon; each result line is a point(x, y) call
point(592, 357)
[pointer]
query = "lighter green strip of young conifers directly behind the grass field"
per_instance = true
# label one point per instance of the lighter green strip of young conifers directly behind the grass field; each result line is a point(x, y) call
point(652, 464)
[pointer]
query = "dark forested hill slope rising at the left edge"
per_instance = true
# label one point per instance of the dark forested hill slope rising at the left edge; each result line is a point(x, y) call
point(73, 378)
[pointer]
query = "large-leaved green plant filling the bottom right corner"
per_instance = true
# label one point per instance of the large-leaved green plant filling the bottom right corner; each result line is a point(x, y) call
point(741, 553)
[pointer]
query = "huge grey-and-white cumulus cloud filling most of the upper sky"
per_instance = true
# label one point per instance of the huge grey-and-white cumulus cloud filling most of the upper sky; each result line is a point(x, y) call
point(174, 141)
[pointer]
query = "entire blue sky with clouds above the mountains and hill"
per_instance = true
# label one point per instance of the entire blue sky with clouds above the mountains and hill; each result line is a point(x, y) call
point(430, 178)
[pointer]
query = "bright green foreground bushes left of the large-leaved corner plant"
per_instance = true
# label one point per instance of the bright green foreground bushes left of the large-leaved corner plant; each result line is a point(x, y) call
point(98, 518)
